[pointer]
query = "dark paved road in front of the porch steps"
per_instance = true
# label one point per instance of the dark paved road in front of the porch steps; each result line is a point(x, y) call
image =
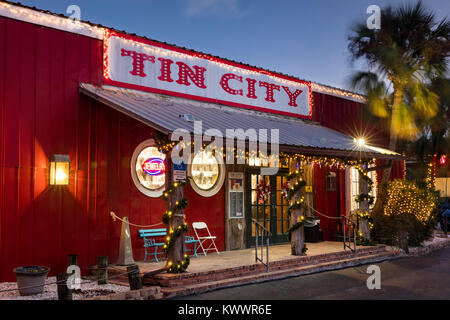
point(426, 277)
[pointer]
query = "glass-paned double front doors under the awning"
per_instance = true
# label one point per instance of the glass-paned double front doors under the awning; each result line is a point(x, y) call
point(272, 214)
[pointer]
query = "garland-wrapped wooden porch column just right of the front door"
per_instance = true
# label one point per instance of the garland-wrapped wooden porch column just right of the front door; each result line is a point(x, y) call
point(296, 212)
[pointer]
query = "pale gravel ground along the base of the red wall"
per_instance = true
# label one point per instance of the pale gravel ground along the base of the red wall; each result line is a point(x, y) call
point(88, 289)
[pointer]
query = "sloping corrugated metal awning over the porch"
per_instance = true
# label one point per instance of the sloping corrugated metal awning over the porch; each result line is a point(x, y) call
point(166, 114)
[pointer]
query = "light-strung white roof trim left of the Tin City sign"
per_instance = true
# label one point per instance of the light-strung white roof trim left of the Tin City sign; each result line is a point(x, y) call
point(50, 20)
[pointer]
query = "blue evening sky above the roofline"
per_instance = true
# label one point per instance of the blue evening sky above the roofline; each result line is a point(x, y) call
point(306, 39)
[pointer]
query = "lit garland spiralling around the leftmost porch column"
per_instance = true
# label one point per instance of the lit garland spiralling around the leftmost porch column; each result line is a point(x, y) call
point(179, 266)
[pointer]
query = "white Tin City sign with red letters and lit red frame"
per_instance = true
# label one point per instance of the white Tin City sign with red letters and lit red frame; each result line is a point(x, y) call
point(142, 64)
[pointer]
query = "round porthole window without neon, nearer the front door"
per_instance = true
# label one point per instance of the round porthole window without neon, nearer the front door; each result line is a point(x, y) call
point(207, 173)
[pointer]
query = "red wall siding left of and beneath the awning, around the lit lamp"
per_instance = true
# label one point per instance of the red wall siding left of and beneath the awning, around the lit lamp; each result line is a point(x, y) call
point(42, 113)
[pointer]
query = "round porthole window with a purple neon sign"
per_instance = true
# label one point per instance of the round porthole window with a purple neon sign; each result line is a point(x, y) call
point(148, 169)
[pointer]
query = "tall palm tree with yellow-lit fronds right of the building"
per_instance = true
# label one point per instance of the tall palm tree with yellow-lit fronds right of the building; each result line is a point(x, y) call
point(409, 50)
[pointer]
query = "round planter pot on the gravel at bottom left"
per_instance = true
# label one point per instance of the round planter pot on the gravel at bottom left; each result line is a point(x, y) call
point(31, 279)
